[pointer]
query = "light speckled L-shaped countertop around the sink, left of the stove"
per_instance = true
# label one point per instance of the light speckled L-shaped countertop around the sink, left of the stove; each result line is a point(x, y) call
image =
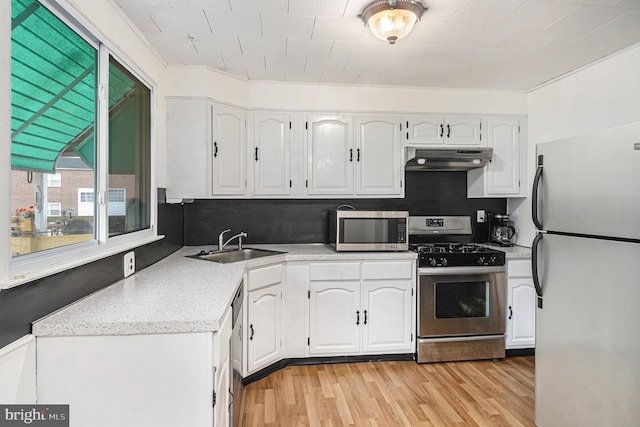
point(178, 294)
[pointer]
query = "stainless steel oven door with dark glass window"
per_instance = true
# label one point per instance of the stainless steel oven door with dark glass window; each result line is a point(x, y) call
point(461, 301)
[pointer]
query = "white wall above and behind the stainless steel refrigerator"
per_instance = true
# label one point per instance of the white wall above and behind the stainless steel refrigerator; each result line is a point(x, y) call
point(600, 96)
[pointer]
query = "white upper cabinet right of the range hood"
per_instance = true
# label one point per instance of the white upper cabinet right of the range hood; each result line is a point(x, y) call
point(505, 174)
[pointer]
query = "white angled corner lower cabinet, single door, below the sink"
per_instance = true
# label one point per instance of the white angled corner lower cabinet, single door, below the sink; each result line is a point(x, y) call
point(265, 310)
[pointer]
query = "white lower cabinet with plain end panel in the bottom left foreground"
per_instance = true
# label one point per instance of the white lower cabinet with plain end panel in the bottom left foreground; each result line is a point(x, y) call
point(149, 380)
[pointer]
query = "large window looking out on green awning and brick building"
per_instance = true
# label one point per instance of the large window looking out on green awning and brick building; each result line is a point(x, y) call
point(83, 162)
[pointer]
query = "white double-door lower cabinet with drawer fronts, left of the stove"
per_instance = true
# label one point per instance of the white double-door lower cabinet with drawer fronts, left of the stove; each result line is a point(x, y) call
point(361, 308)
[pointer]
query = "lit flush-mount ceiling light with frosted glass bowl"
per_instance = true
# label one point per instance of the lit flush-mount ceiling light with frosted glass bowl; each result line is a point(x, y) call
point(391, 20)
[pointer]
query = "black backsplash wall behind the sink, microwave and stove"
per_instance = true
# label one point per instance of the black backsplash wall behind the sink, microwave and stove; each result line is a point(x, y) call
point(305, 221)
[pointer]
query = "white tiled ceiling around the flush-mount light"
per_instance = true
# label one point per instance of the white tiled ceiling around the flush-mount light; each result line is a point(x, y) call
point(482, 44)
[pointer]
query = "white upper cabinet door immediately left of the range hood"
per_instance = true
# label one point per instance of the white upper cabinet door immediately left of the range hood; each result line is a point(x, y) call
point(379, 167)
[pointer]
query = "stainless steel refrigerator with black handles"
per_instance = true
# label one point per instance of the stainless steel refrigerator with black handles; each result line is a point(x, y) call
point(586, 265)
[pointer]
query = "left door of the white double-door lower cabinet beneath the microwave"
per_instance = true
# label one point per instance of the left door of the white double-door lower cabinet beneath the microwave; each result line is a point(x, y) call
point(335, 317)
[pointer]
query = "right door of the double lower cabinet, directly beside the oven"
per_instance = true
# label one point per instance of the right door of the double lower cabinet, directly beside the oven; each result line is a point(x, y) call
point(387, 311)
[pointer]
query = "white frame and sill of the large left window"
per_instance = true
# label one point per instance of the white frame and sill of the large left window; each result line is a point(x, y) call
point(33, 266)
